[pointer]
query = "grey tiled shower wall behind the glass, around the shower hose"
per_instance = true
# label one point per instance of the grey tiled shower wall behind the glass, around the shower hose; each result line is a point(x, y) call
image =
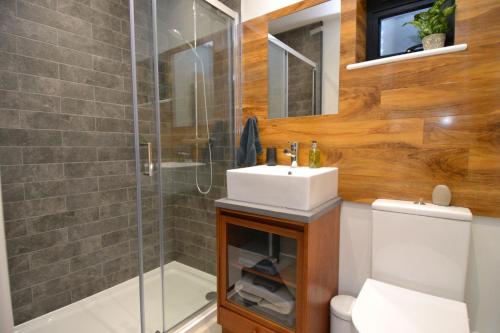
point(190, 216)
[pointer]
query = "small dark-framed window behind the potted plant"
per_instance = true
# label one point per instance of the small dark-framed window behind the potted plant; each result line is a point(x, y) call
point(386, 36)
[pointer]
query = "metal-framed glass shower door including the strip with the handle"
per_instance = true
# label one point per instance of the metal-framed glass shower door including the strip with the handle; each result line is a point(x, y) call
point(184, 60)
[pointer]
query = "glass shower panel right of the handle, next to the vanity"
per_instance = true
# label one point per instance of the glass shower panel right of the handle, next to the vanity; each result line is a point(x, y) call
point(195, 52)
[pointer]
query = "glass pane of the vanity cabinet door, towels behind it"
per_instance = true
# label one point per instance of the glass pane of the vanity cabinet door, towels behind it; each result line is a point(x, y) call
point(262, 273)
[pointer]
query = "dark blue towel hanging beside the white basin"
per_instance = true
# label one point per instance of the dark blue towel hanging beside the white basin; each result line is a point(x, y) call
point(249, 144)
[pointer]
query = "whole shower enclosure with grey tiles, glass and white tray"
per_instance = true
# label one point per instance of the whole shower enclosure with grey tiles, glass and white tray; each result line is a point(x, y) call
point(117, 124)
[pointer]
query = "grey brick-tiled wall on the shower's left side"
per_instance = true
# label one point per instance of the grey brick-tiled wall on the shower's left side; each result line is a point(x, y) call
point(66, 150)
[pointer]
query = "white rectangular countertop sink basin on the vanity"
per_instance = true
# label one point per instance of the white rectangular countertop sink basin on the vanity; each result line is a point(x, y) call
point(282, 186)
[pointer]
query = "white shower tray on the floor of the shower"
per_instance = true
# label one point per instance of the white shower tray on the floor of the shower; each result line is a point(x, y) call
point(116, 310)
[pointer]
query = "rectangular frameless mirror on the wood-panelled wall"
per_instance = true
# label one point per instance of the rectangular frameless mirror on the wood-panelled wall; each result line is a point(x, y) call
point(303, 62)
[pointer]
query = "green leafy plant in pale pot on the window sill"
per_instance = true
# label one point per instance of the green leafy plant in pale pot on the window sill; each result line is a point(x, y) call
point(432, 24)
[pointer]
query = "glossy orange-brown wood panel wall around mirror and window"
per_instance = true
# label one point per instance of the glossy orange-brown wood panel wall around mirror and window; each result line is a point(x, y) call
point(403, 127)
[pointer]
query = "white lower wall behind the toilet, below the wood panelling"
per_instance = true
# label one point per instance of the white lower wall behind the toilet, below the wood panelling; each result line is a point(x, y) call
point(483, 280)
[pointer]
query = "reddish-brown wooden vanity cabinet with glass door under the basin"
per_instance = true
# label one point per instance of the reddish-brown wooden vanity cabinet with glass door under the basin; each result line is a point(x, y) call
point(296, 261)
